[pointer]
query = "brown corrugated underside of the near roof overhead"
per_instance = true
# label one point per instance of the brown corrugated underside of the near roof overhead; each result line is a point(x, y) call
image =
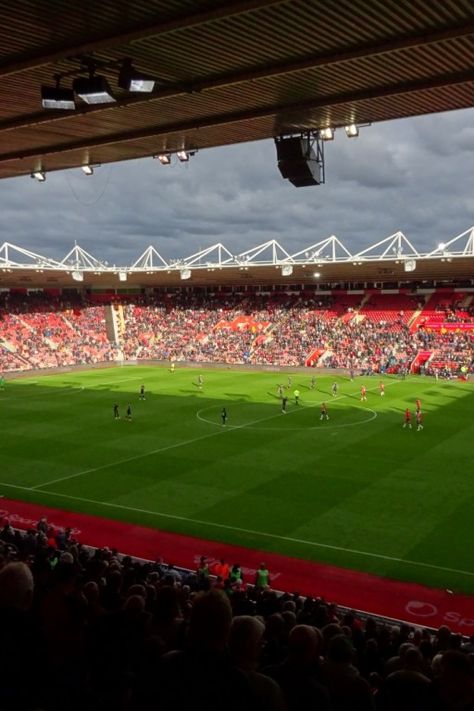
point(225, 71)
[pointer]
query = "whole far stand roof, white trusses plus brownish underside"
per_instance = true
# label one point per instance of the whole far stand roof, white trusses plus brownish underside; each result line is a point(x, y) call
point(390, 260)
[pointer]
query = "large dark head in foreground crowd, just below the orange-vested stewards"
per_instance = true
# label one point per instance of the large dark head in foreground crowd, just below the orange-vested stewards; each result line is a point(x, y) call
point(211, 619)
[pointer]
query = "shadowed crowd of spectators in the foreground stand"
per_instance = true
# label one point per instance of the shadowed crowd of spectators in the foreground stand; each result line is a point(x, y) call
point(90, 629)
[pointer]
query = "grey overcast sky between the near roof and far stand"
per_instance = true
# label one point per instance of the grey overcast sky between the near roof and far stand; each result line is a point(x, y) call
point(414, 175)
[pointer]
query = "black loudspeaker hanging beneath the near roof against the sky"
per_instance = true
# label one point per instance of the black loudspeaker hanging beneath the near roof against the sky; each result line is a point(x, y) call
point(298, 162)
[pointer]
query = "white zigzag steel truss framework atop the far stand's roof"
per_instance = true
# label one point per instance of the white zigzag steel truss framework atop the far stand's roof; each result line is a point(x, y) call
point(395, 247)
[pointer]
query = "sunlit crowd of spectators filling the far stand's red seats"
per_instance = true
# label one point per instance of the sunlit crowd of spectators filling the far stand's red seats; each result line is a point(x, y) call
point(273, 329)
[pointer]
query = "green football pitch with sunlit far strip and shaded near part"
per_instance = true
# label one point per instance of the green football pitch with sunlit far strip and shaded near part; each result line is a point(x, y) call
point(358, 491)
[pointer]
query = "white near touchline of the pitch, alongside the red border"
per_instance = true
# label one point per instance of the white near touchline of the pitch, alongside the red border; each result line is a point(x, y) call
point(249, 531)
